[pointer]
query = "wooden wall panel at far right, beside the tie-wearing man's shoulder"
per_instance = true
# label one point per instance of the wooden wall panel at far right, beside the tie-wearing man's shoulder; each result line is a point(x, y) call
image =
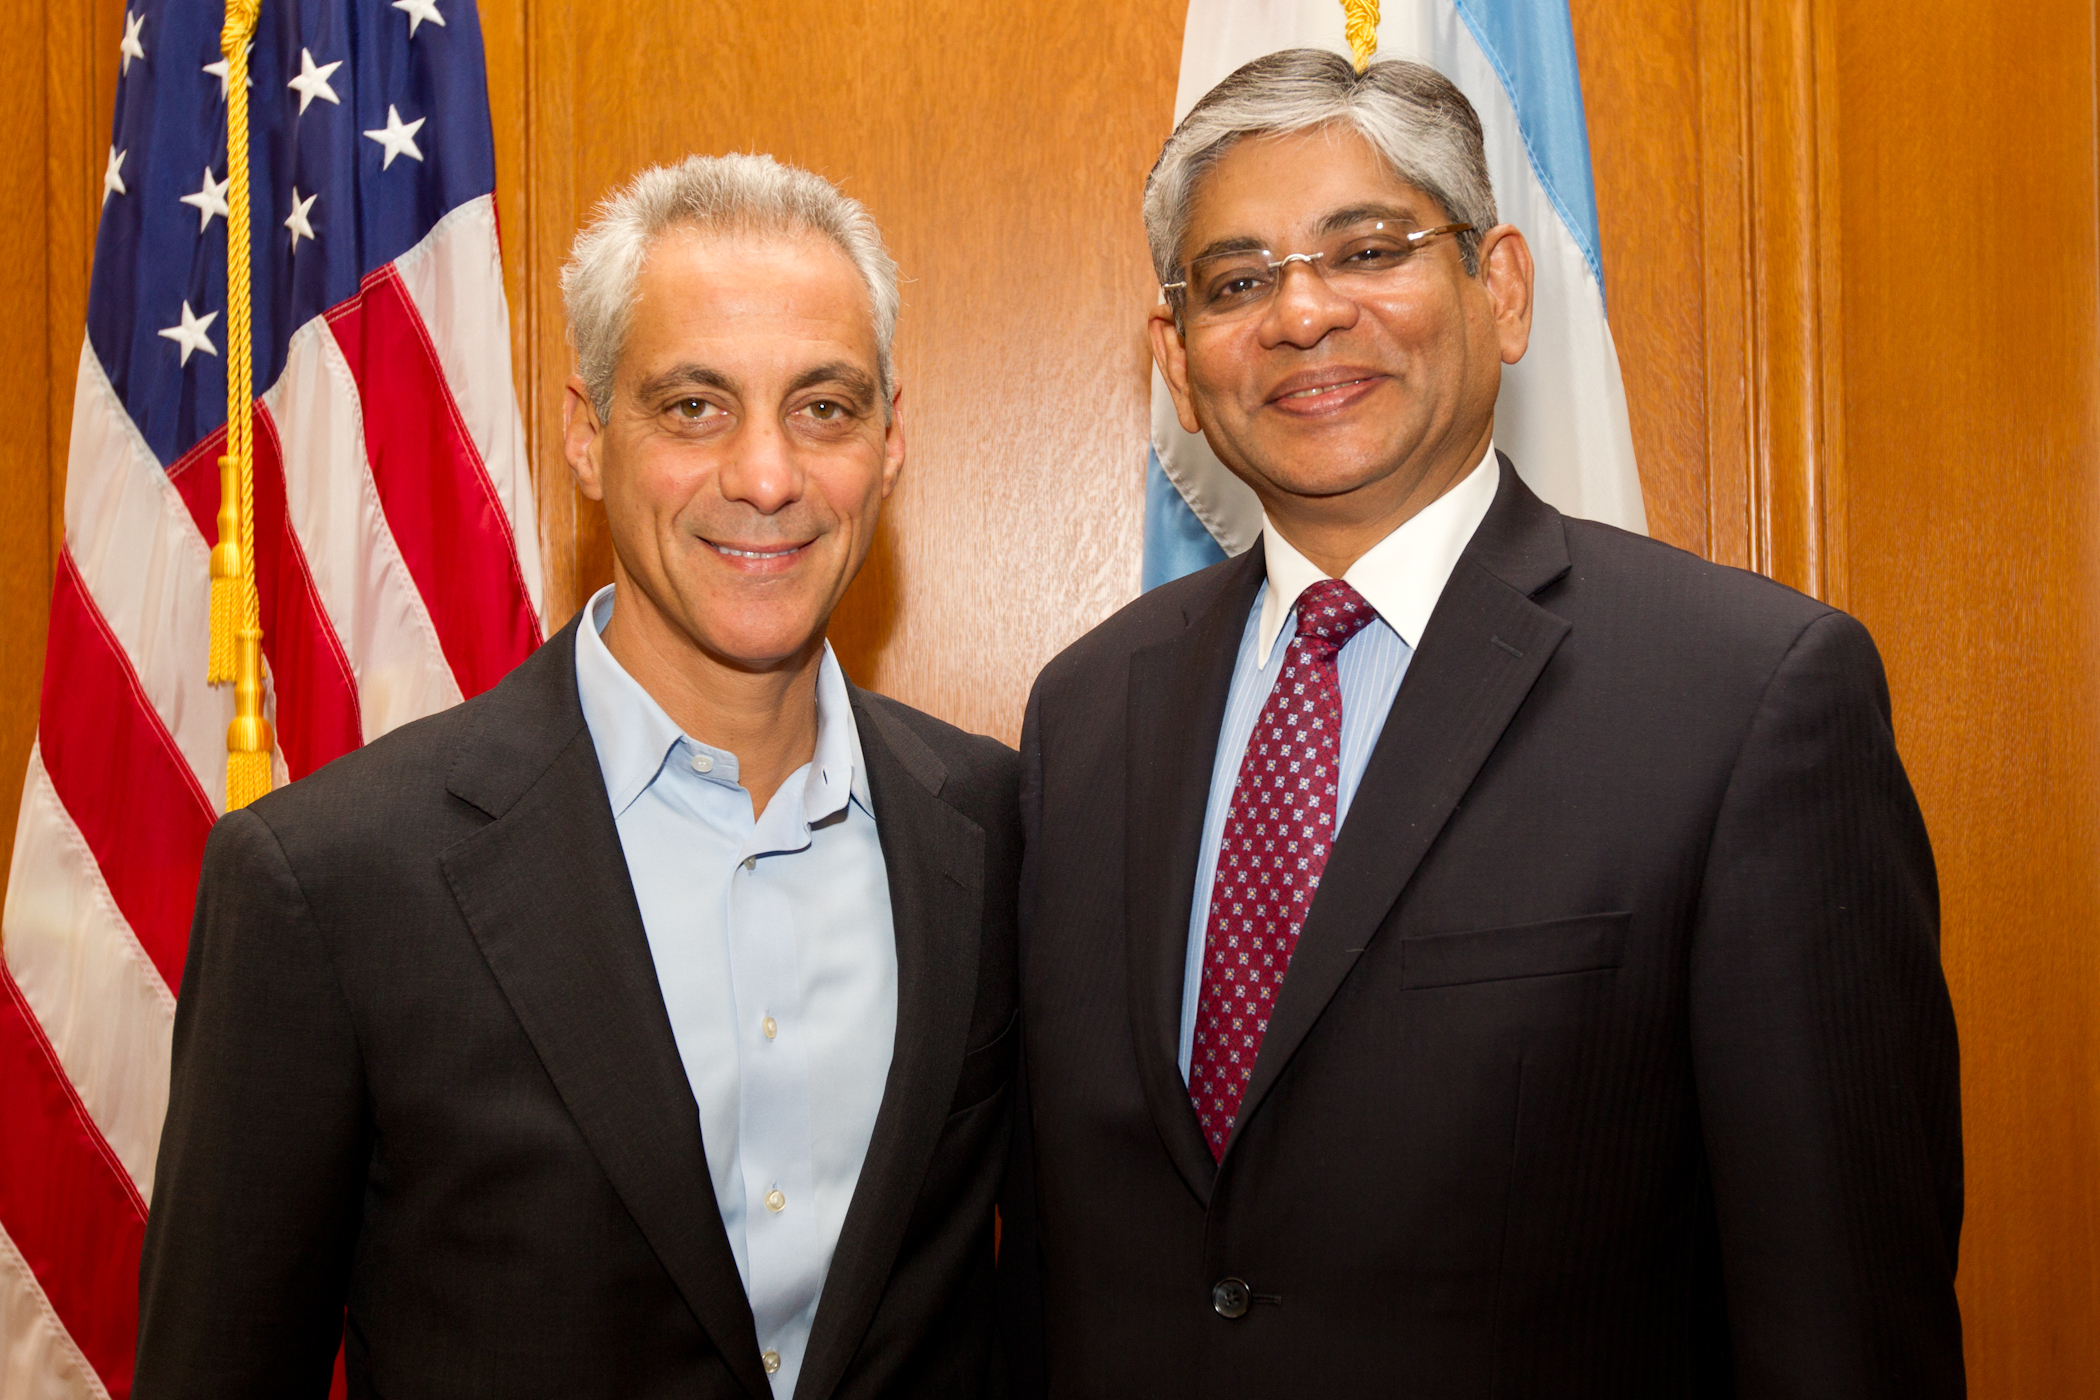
point(1973, 467)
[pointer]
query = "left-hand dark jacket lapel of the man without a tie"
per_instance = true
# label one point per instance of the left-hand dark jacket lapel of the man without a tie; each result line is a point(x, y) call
point(547, 895)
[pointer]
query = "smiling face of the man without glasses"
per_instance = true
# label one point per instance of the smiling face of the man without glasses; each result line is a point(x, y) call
point(747, 454)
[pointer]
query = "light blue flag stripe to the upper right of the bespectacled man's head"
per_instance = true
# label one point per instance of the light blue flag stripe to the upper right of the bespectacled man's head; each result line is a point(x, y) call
point(1532, 47)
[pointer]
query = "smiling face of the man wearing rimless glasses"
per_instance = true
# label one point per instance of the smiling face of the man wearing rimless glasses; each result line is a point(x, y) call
point(1343, 410)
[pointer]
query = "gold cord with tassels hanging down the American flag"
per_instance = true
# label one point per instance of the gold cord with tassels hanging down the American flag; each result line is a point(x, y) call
point(236, 603)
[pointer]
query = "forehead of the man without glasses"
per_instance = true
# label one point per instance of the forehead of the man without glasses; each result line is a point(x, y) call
point(749, 297)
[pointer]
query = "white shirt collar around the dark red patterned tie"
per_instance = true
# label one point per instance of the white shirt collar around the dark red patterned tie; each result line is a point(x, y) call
point(1402, 576)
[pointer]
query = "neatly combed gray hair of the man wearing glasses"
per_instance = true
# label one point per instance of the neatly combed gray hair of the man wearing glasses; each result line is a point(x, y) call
point(1412, 114)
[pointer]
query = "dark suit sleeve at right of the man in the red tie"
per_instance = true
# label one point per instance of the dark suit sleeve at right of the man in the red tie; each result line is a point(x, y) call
point(1824, 1046)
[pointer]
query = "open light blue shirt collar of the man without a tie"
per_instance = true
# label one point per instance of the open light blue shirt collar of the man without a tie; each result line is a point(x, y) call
point(635, 736)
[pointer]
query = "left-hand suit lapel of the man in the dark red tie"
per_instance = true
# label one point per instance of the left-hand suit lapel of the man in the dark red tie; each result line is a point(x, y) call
point(1177, 708)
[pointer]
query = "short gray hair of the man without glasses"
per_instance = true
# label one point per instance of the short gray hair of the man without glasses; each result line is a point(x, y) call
point(732, 194)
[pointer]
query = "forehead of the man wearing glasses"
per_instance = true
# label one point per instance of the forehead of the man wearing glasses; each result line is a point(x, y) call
point(1282, 188)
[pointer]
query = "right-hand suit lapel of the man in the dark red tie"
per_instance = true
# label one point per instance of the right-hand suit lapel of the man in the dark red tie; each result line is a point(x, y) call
point(1479, 658)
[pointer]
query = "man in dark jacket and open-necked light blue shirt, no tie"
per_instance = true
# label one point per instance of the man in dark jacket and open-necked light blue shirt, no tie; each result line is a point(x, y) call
point(646, 1025)
